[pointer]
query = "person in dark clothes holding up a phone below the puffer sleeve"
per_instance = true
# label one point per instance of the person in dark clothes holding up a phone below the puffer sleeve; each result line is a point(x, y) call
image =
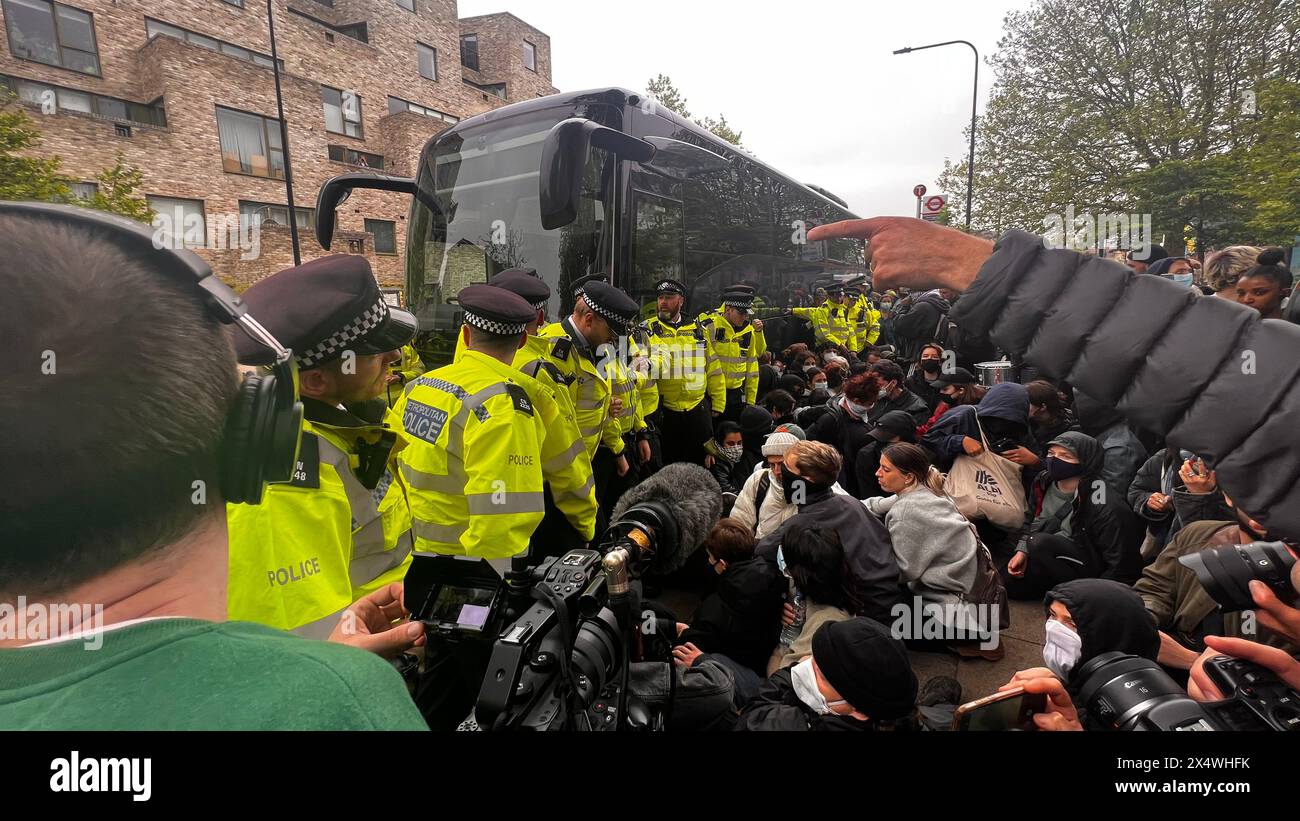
point(1169, 497)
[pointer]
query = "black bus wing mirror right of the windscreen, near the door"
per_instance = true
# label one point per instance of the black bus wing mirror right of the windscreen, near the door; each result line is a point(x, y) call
point(565, 158)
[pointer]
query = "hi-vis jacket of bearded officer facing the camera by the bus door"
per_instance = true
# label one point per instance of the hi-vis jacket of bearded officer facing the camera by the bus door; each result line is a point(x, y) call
point(687, 368)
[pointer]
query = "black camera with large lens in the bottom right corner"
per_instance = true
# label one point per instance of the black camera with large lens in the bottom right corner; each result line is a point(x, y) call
point(1130, 693)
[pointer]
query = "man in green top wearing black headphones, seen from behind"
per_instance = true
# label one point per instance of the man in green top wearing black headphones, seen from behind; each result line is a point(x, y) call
point(124, 507)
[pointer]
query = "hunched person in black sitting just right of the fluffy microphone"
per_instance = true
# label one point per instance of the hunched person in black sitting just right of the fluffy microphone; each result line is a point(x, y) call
point(740, 622)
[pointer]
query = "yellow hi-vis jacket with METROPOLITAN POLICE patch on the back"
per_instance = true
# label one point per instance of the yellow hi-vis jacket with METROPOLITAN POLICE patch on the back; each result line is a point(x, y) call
point(474, 461)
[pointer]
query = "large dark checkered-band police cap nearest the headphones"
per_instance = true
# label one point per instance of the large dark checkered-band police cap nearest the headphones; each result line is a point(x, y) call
point(322, 310)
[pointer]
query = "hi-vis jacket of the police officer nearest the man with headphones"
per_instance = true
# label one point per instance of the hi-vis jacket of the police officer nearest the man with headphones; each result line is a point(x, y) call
point(339, 531)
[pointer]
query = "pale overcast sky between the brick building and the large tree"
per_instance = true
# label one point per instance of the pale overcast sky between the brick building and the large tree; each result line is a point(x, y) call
point(813, 86)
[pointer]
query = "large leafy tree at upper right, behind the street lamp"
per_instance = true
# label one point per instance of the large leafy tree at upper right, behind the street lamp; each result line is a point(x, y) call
point(1132, 106)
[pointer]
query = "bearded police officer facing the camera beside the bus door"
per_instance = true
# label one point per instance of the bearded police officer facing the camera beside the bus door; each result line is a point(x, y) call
point(692, 389)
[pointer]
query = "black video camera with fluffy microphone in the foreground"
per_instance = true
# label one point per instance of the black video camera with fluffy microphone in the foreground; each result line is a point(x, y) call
point(561, 633)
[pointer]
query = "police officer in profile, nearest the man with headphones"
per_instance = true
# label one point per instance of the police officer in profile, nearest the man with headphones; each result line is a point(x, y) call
point(343, 527)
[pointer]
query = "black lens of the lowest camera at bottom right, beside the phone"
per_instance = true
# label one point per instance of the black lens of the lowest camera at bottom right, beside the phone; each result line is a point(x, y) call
point(1123, 692)
